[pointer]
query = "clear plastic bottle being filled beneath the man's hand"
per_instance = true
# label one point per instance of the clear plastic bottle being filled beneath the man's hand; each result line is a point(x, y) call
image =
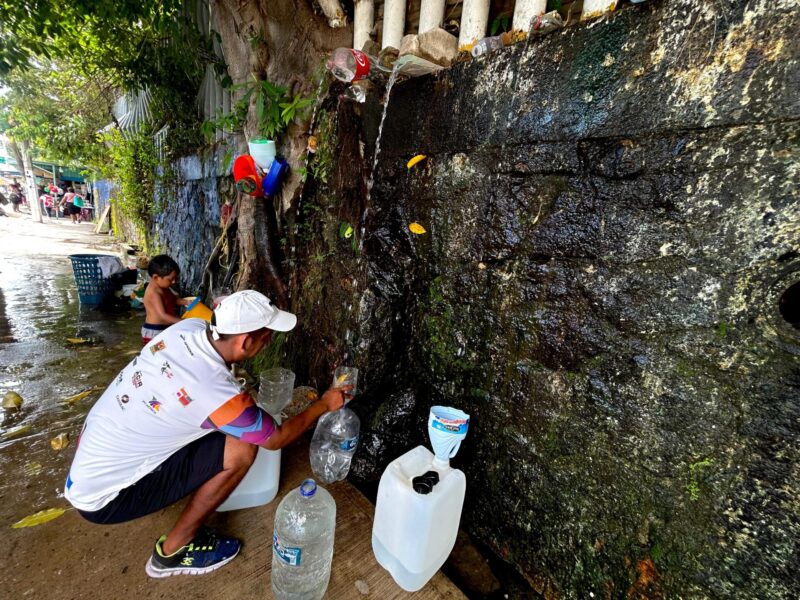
point(334, 443)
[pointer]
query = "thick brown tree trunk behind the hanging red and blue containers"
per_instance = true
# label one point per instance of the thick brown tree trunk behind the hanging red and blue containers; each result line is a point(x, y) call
point(282, 41)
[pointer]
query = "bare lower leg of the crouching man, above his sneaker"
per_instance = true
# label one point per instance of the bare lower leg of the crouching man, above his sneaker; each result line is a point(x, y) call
point(238, 458)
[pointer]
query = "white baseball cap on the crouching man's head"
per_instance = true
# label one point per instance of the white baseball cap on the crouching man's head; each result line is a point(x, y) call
point(248, 311)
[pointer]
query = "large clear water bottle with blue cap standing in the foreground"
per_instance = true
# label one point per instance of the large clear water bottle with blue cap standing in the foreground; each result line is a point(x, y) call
point(302, 543)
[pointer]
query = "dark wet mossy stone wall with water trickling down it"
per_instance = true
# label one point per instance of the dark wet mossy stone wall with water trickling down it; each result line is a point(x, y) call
point(612, 220)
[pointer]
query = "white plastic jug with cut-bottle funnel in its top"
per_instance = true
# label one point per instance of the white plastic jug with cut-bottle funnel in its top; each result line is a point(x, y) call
point(419, 504)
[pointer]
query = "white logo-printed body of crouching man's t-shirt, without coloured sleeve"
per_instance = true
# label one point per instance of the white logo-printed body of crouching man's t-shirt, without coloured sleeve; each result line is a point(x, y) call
point(154, 407)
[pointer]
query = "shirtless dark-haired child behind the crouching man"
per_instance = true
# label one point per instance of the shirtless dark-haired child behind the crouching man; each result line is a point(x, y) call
point(160, 302)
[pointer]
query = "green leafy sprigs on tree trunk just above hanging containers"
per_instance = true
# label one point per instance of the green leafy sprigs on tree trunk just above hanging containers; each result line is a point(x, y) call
point(274, 110)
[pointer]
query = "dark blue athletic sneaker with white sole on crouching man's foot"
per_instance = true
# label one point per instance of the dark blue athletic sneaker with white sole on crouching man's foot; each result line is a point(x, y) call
point(205, 553)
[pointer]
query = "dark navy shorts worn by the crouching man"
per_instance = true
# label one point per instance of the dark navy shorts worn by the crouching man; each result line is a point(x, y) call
point(178, 476)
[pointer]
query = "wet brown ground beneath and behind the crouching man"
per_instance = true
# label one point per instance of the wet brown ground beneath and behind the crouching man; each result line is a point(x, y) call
point(69, 558)
